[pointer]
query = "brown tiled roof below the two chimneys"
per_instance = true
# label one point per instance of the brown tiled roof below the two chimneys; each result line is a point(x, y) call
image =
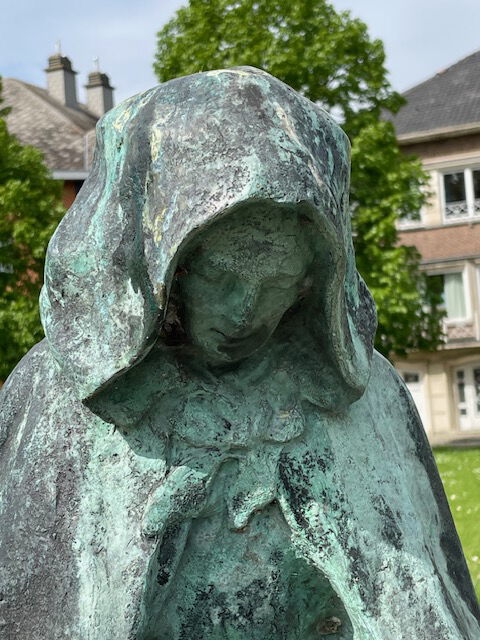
point(63, 134)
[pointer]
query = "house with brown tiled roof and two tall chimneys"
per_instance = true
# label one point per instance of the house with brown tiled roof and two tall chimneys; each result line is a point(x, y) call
point(54, 121)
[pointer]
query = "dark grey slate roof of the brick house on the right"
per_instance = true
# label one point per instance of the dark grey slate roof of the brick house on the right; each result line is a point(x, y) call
point(446, 103)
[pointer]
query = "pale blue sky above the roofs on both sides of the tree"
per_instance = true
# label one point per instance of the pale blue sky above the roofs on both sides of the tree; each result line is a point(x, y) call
point(421, 37)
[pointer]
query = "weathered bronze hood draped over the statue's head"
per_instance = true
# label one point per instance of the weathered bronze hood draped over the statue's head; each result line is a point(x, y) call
point(168, 162)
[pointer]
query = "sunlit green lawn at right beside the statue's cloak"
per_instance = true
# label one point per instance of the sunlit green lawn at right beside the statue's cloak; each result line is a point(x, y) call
point(460, 472)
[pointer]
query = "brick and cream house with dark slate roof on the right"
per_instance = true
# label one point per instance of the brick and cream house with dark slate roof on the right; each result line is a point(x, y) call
point(441, 125)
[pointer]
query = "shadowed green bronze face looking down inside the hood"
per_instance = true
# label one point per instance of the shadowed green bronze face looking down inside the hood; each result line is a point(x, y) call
point(246, 271)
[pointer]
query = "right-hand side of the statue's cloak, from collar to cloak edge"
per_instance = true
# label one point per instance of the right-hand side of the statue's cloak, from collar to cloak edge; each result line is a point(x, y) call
point(365, 504)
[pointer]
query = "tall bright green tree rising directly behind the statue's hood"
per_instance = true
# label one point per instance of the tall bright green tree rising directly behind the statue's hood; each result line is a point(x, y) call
point(329, 57)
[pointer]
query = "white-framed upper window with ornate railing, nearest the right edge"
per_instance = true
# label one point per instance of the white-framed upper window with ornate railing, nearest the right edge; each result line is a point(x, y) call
point(461, 194)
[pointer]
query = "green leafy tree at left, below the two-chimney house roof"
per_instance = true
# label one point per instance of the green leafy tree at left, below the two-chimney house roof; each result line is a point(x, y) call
point(30, 208)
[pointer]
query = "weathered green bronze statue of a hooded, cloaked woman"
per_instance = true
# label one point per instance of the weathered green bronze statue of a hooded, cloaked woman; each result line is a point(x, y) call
point(204, 446)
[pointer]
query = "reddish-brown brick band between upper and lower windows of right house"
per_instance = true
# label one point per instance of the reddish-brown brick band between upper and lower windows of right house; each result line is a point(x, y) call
point(448, 242)
